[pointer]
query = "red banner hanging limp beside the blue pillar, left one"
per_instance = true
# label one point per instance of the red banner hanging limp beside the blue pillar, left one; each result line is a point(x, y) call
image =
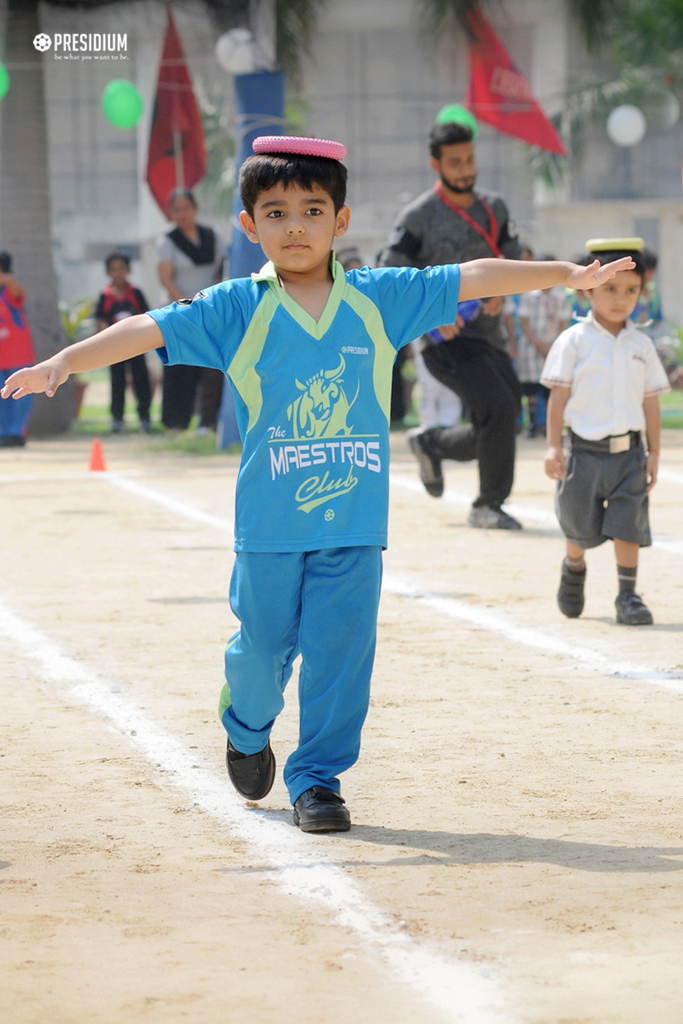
point(178, 154)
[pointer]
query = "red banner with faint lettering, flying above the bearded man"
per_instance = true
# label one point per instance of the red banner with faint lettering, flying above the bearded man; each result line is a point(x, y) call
point(501, 96)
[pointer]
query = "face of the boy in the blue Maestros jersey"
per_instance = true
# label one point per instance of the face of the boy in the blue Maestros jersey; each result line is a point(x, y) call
point(296, 228)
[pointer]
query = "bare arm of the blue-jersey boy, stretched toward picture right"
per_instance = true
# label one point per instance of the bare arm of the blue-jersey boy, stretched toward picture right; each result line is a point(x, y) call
point(482, 278)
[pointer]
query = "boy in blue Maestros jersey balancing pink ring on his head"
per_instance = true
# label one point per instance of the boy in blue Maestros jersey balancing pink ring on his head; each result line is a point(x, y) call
point(309, 352)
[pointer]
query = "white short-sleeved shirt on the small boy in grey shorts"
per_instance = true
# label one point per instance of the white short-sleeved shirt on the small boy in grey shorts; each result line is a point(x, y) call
point(610, 377)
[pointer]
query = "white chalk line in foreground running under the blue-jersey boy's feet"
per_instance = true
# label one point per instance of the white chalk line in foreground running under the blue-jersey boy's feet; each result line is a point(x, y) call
point(460, 993)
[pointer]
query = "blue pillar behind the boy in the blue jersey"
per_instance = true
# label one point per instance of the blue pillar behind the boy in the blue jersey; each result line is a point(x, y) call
point(261, 104)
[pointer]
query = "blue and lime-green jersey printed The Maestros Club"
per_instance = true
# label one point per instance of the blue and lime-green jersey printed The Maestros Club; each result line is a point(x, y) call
point(313, 399)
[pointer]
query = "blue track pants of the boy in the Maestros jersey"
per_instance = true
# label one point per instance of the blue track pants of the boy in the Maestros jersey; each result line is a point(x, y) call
point(322, 605)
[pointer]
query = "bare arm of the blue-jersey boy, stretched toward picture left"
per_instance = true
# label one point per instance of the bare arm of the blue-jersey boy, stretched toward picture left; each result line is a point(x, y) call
point(131, 337)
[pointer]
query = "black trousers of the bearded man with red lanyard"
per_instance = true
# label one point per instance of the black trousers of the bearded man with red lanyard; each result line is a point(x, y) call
point(485, 379)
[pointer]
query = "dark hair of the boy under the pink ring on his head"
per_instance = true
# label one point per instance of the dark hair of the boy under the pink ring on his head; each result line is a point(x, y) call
point(265, 172)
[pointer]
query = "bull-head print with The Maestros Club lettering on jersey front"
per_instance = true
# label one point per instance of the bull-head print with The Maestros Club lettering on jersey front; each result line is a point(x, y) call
point(319, 414)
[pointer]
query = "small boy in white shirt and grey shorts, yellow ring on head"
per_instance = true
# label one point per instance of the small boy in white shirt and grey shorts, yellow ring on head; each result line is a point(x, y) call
point(606, 378)
